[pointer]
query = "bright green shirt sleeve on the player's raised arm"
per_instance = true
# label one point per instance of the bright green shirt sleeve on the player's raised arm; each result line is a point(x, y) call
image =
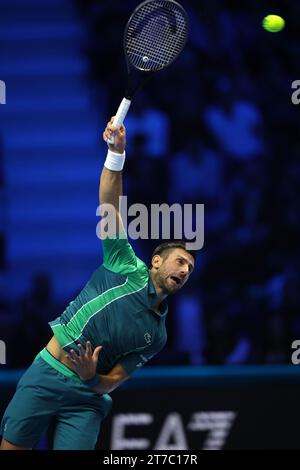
point(118, 255)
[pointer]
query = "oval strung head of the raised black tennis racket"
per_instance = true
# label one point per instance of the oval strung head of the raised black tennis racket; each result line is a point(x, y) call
point(156, 35)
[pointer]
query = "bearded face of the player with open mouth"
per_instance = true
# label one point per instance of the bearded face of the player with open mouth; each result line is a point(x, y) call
point(174, 270)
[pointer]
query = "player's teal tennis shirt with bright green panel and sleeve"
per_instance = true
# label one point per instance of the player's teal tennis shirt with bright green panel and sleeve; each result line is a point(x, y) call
point(115, 310)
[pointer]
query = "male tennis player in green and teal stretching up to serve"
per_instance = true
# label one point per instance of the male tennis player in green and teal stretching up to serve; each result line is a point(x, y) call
point(114, 326)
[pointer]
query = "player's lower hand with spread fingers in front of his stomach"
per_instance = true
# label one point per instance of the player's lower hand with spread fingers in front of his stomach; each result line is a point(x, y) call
point(85, 363)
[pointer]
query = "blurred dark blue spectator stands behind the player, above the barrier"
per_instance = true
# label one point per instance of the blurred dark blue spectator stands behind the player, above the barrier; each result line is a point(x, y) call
point(218, 128)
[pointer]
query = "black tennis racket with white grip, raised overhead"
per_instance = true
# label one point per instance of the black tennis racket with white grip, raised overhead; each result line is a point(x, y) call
point(154, 36)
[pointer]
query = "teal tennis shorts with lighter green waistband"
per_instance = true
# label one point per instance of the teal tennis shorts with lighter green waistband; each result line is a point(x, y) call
point(51, 391)
